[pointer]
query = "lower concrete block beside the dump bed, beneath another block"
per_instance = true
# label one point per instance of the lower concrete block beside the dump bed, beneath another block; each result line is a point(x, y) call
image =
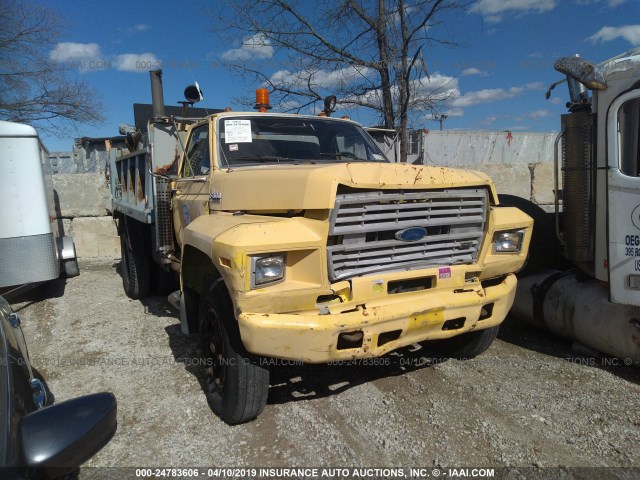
point(95, 237)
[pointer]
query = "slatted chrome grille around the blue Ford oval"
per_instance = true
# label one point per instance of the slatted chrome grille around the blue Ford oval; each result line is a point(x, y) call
point(362, 234)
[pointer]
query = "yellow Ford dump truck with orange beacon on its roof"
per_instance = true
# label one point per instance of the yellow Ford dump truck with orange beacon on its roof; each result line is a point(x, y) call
point(295, 238)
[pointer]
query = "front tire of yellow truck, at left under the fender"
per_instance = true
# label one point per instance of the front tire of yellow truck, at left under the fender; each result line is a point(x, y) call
point(236, 385)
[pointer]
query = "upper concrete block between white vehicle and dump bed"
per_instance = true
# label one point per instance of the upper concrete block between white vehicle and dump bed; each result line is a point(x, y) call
point(80, 195)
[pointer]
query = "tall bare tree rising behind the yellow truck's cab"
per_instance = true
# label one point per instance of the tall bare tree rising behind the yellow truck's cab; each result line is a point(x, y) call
point(370, 53)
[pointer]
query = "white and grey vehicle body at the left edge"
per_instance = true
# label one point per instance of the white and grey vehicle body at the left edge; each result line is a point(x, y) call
point(32, 249)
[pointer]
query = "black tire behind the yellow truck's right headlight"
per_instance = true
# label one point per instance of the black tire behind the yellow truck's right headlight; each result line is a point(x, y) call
point(545, 248)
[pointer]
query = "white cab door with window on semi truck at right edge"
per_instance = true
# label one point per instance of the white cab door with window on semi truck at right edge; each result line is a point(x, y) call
point(623, 190)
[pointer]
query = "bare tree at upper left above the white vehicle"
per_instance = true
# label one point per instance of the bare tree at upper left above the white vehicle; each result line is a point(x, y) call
point(33, 88)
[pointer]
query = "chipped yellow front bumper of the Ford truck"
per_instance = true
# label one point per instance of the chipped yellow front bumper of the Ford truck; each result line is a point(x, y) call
point(387, 324)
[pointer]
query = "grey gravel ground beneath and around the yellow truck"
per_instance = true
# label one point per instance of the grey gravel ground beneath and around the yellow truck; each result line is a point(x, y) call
point(529, 401)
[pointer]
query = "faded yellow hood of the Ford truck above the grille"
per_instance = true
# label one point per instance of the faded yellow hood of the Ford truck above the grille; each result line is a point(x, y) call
point(301, 187)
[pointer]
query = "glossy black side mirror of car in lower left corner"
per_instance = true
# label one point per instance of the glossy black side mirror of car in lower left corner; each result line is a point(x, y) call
point(57, 439)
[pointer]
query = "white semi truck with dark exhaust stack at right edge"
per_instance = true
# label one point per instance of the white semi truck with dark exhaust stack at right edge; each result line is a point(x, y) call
point(596, 299)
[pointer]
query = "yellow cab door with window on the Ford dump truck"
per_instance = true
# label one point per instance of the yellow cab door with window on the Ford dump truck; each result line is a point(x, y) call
point(191, 195)
